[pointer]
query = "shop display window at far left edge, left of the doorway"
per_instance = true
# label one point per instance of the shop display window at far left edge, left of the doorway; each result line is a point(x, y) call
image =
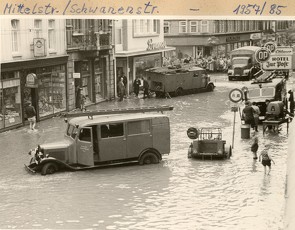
point(10, 100)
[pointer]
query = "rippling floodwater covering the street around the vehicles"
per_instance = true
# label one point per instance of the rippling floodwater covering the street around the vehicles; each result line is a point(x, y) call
point(178, 193)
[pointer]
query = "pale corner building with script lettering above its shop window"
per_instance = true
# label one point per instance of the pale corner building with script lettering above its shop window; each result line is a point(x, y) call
point(139, 44)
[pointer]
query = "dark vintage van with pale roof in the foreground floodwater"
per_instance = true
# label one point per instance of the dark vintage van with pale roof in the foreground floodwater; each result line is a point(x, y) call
point(94, 141)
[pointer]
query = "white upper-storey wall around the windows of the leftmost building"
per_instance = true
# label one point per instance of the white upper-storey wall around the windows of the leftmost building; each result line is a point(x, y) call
point(27, 33)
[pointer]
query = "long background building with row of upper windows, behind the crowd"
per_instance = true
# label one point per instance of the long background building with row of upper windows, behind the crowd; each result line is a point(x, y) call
point(217, 38)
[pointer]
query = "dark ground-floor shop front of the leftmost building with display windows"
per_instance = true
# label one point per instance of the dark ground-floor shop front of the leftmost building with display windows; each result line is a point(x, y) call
point(40, 82)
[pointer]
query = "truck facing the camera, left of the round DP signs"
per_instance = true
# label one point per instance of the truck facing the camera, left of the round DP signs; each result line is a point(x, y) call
point(242, 60)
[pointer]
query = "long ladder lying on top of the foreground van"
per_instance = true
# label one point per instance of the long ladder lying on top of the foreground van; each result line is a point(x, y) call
point(120, 111)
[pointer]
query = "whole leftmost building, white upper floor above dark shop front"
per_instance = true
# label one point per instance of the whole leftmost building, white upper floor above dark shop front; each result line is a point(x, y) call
point(33, 69)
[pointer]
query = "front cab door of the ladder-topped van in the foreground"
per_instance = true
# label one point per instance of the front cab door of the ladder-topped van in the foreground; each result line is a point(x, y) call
point(85, 152)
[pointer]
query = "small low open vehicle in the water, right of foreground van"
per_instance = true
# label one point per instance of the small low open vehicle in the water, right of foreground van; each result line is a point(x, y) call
point(208, 144)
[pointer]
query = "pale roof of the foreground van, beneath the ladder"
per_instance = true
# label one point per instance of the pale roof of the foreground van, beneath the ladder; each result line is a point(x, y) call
point(85, 121)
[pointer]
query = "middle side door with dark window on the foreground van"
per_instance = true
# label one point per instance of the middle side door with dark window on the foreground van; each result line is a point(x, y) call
point(112, 144)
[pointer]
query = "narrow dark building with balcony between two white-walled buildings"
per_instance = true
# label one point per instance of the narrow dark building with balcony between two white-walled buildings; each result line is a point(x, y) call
point(91, 62)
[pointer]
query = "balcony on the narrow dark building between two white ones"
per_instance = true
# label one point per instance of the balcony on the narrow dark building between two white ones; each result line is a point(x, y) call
point(94, 41)
